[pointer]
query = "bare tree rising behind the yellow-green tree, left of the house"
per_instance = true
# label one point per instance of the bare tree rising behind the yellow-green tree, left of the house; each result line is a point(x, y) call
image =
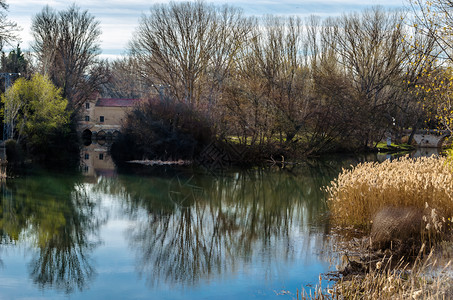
point(67, 49)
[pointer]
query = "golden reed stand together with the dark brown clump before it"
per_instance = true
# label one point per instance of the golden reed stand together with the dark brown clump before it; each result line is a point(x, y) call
point(403, 203)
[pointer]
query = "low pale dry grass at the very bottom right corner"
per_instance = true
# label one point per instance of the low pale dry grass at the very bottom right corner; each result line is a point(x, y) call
point(425, 279)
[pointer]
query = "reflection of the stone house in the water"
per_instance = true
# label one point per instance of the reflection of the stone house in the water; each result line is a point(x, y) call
point(96, 161)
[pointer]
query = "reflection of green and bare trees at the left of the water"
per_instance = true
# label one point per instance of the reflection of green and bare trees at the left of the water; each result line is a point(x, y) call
point(58, 219)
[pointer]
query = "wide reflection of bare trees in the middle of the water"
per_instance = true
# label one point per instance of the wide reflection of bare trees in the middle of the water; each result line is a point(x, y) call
point(197, 227)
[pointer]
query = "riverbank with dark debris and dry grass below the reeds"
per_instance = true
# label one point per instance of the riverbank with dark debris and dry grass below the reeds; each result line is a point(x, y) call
point(363, 274)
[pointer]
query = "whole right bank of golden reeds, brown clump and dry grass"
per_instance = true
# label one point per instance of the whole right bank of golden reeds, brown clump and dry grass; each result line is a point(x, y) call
point(403, 209)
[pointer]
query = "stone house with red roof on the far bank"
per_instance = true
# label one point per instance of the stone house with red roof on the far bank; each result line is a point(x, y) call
point(102, 117)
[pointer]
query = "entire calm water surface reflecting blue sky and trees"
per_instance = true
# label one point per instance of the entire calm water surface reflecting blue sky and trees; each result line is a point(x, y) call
point(164, 234)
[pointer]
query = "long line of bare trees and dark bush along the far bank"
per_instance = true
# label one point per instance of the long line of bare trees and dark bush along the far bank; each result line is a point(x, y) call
point(273, 86)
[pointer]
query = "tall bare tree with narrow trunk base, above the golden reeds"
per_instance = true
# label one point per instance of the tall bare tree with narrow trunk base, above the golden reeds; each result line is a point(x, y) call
point(370, 48)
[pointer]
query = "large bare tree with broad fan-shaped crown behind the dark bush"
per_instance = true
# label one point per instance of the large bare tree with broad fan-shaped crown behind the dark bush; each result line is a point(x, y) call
point(178, 43)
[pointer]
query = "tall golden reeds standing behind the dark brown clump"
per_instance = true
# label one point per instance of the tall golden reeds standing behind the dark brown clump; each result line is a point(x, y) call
point(357, 194)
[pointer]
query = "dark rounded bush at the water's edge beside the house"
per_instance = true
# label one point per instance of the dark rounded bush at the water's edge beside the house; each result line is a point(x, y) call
point(163, 130)
